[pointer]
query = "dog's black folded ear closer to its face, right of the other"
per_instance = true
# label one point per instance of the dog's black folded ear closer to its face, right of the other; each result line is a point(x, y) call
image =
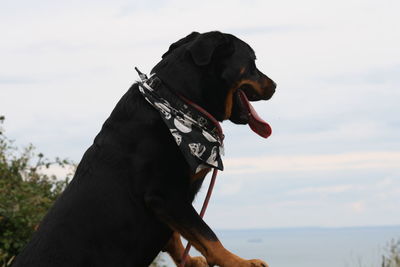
point(204, 46)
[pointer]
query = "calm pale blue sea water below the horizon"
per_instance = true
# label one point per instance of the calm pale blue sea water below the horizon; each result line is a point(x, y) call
point(309, 247)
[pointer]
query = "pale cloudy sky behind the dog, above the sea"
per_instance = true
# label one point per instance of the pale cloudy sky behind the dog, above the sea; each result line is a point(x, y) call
point(333, 159)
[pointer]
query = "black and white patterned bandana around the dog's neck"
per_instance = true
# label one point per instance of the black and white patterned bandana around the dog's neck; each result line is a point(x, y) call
point(195, 134)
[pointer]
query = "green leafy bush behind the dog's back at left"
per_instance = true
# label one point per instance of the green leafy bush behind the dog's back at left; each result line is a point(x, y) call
point(26, 193)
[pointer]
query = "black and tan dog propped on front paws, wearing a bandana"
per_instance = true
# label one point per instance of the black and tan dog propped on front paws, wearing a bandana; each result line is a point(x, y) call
point(132, 192)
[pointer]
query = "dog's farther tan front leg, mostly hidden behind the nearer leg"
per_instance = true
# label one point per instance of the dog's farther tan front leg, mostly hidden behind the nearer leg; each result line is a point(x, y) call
point(175, 249)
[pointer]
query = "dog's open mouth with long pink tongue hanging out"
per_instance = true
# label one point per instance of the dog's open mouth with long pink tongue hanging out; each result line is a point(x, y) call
point(244, 113)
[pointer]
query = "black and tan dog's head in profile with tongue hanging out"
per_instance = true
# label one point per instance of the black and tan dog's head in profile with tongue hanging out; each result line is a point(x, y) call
point(218, 72)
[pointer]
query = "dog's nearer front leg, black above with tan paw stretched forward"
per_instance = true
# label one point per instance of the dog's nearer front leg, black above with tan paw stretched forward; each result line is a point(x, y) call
point(180, 216)
